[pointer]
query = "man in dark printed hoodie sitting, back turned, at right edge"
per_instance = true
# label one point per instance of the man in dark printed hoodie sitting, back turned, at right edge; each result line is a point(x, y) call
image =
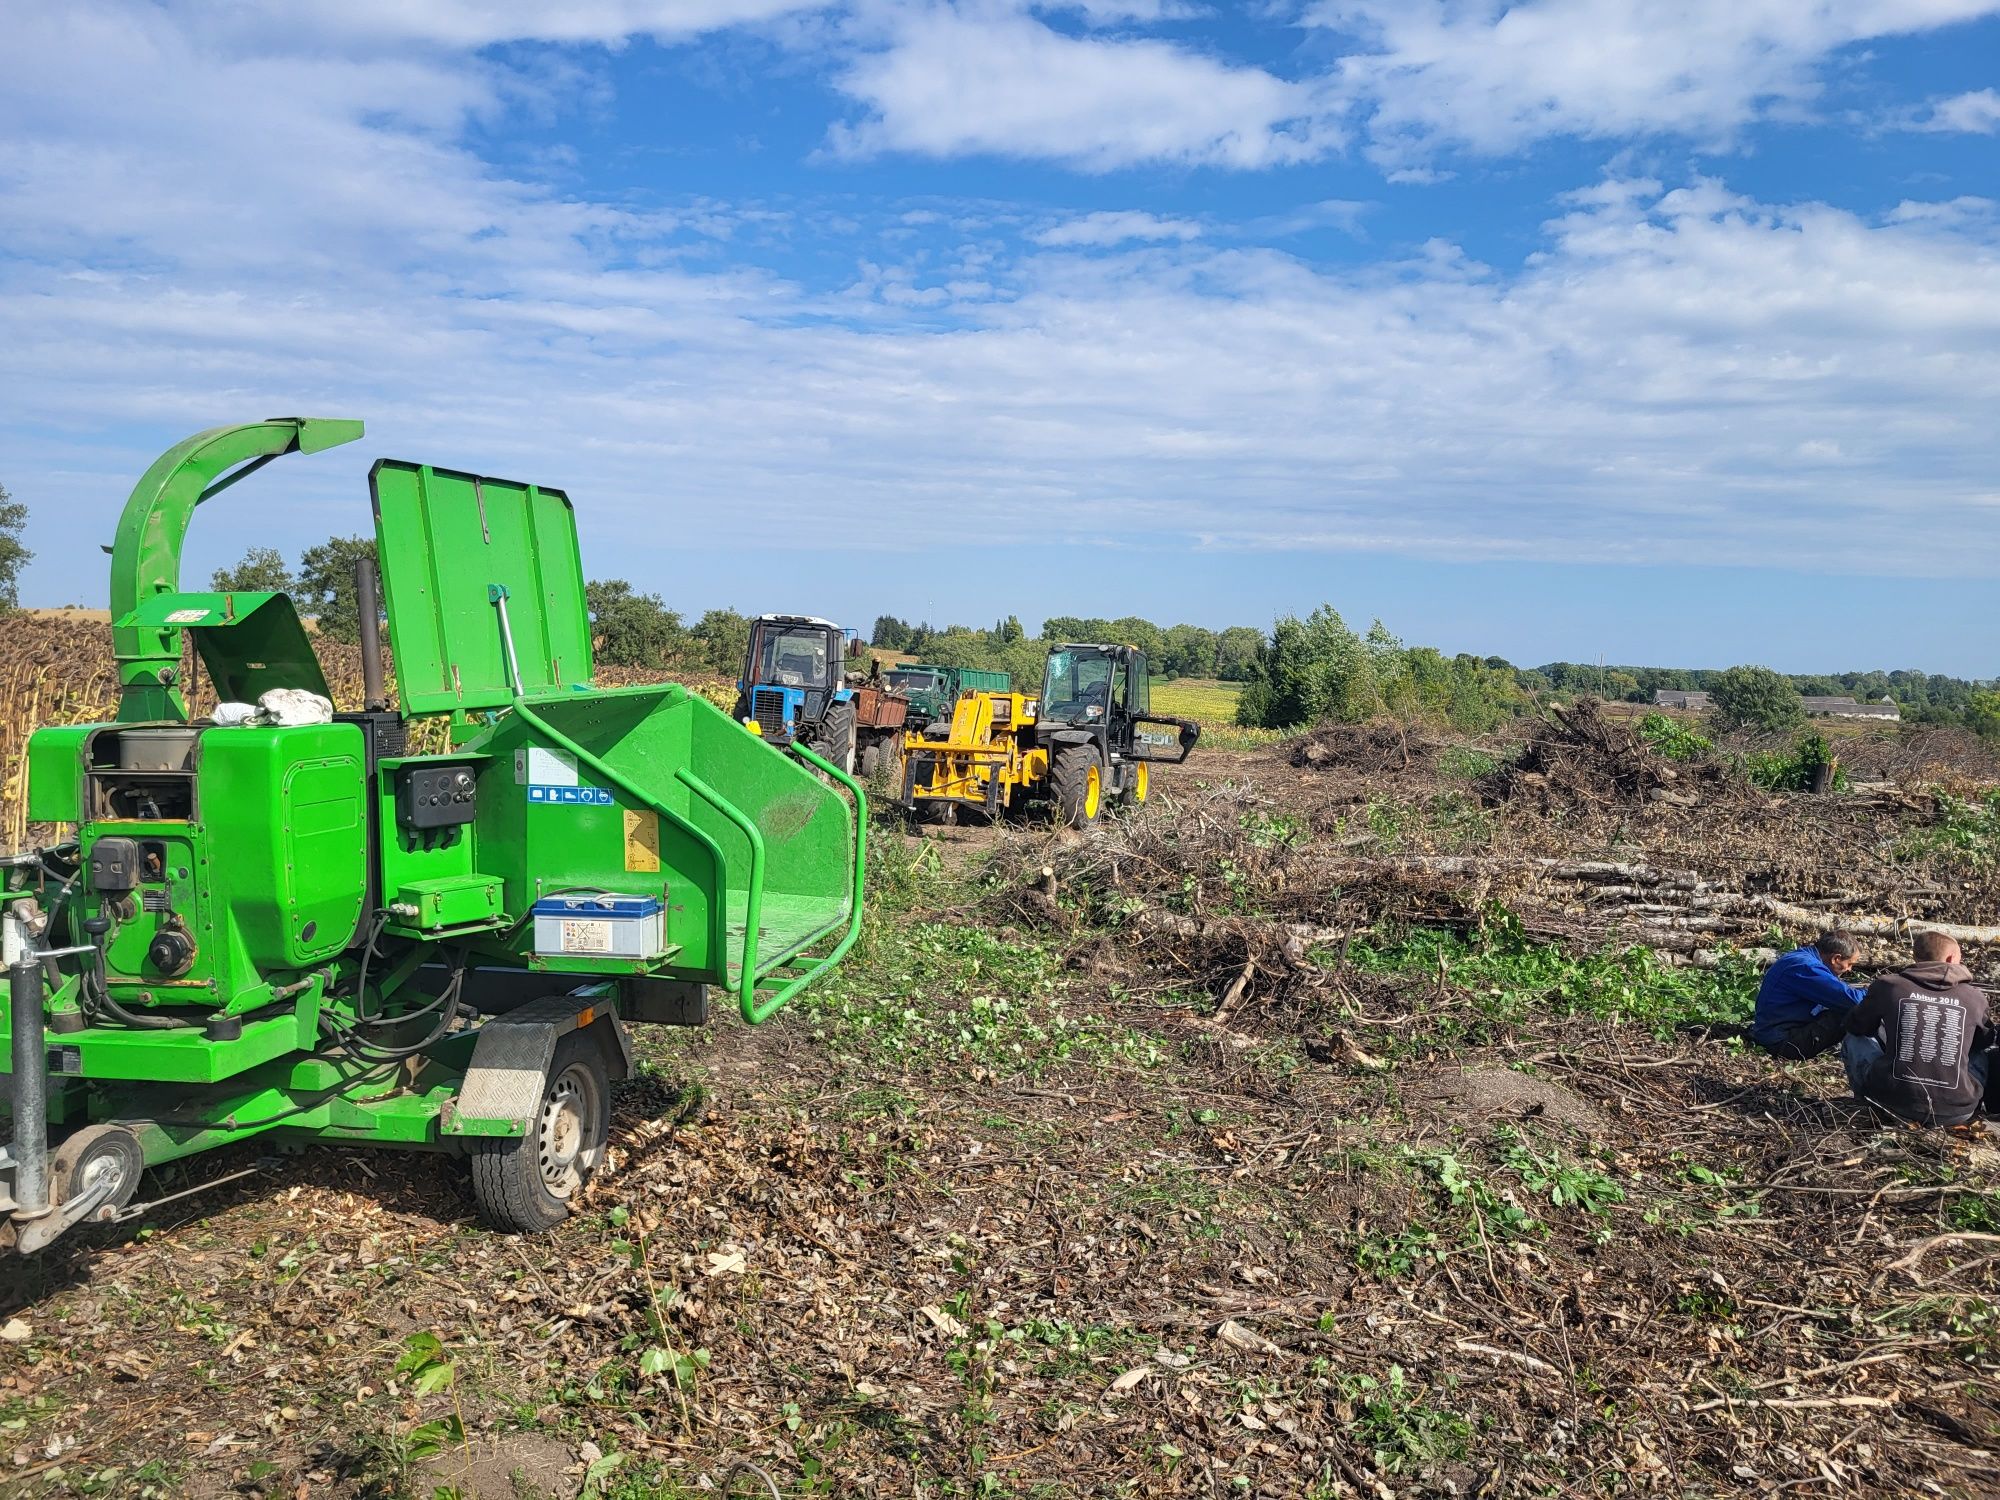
point(1919, 1041)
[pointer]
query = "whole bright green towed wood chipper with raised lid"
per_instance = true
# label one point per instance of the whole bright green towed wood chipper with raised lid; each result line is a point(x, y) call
point(303, 933)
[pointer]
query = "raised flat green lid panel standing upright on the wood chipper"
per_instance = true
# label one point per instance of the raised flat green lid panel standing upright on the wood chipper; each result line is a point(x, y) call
point(445, 541)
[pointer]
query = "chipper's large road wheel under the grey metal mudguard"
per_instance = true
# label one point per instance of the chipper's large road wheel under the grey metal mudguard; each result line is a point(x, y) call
point(529, 1185)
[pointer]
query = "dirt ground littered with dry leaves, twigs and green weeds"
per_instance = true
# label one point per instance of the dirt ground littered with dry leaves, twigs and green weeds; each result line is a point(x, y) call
point(1159, 1173)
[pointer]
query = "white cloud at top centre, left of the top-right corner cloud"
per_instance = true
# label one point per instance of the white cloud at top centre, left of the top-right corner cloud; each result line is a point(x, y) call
point(989, 79)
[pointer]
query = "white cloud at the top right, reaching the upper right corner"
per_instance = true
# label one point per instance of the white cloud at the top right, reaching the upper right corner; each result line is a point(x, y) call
point(1495, 77)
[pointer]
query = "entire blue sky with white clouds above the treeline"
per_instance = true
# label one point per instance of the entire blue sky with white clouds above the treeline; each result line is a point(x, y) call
point(1569, 329)
